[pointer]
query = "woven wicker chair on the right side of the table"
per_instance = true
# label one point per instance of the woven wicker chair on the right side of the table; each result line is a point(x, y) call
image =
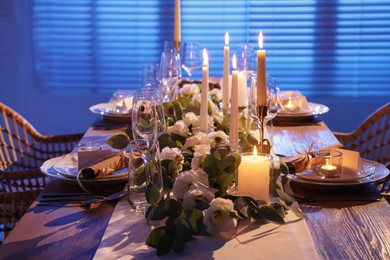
point(372, 139)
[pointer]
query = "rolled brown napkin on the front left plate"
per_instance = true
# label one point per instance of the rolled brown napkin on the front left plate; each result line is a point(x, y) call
point(105, 166)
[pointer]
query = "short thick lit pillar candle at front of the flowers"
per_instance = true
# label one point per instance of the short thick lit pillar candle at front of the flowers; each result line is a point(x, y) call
point(254, 176)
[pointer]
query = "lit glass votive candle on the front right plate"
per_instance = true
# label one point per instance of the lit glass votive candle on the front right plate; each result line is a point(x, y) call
point(330, 163)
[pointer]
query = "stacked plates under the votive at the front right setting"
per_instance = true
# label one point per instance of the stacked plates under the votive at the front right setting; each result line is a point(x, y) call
point(369, 171)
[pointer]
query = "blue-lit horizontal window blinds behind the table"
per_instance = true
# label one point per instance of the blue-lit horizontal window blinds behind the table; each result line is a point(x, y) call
point(335, 48)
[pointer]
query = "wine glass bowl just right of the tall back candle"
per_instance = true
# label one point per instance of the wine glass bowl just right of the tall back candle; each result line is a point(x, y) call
point(191, 57)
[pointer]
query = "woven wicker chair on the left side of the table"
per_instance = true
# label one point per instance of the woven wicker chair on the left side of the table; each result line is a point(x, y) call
point(22, 151)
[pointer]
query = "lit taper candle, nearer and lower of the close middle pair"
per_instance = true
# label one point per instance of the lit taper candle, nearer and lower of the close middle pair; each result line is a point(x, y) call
point(233, 133)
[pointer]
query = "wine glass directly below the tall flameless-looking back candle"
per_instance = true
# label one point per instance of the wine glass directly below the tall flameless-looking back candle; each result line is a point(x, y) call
point(170, 69)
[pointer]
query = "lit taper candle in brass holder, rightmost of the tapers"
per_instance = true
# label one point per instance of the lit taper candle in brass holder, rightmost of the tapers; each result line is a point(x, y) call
point(261, 74)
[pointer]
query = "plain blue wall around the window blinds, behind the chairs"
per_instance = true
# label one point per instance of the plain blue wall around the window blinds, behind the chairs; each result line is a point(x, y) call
point(68, 113)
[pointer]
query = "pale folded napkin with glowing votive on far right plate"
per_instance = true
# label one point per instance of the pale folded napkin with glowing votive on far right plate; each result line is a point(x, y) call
point(293, 101)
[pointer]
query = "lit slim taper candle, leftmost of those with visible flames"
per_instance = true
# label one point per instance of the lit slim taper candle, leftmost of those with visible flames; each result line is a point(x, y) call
point(205, 93)
